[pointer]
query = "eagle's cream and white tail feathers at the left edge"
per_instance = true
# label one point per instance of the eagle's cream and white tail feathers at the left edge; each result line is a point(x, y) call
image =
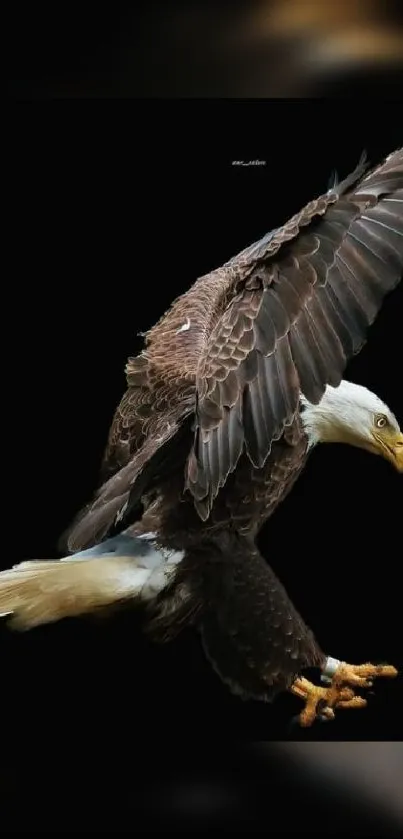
point(38, 592)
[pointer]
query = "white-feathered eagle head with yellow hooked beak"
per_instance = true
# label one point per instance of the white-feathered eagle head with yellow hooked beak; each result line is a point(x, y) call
point(353, 414)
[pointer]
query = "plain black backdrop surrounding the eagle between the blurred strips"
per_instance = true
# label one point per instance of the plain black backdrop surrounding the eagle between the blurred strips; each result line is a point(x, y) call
point(115, 209)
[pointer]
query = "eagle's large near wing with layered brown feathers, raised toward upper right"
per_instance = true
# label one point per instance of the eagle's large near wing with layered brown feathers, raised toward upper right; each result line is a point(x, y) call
point(309, 294)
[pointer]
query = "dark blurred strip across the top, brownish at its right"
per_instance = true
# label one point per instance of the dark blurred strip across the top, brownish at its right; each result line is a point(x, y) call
point(189, 48)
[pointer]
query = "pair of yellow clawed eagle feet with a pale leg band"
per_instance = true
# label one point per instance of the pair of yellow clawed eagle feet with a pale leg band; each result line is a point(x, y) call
point(340, 679)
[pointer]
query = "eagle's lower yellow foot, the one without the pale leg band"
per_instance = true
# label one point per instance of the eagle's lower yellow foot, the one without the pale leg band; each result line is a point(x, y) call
point(320, 701)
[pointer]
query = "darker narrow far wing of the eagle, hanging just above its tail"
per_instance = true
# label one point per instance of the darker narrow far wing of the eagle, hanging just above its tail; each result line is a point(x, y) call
point(147, 422)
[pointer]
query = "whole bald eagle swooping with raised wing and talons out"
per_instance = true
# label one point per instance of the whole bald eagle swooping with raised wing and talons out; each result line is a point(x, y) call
point(235, 385)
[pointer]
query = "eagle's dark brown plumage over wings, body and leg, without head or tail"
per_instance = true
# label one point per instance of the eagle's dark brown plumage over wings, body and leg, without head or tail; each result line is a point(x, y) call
point(208, 438)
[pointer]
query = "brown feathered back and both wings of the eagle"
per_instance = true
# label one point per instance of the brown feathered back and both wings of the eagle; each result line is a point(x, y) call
point(285, 314)
